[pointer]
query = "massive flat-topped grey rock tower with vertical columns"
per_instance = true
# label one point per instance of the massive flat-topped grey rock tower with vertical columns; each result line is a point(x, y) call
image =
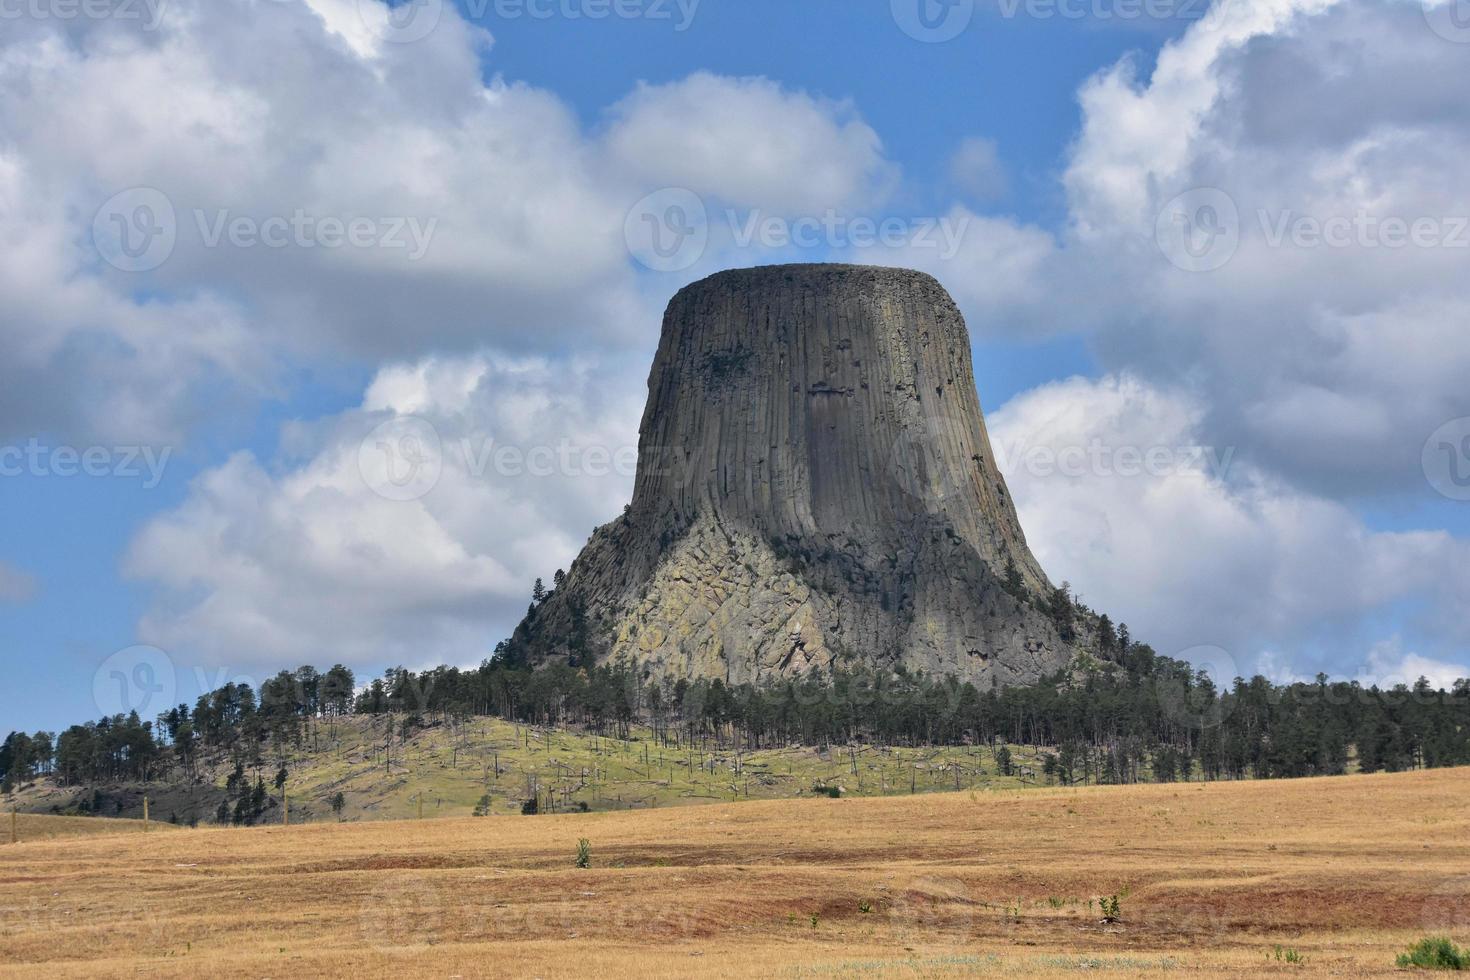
point(815, 490)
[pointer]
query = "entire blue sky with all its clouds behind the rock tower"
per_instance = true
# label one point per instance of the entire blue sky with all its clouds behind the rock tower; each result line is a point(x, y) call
point(329, 324)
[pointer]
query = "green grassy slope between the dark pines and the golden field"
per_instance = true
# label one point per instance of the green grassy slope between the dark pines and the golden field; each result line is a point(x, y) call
point(449, 769)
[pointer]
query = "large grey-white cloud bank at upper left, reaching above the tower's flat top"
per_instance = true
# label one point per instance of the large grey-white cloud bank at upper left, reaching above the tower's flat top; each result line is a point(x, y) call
point(343, 199)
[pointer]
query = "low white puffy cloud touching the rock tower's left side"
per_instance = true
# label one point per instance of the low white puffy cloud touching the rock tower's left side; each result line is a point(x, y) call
point(506, 466)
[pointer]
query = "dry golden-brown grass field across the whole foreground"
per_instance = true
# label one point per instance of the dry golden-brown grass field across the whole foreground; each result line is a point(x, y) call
point(1212, 879)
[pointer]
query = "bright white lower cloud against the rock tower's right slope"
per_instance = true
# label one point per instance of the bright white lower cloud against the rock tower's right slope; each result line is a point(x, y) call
point(1122, 494)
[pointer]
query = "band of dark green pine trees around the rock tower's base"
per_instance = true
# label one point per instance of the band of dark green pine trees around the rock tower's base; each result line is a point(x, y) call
point(1136, 716)
